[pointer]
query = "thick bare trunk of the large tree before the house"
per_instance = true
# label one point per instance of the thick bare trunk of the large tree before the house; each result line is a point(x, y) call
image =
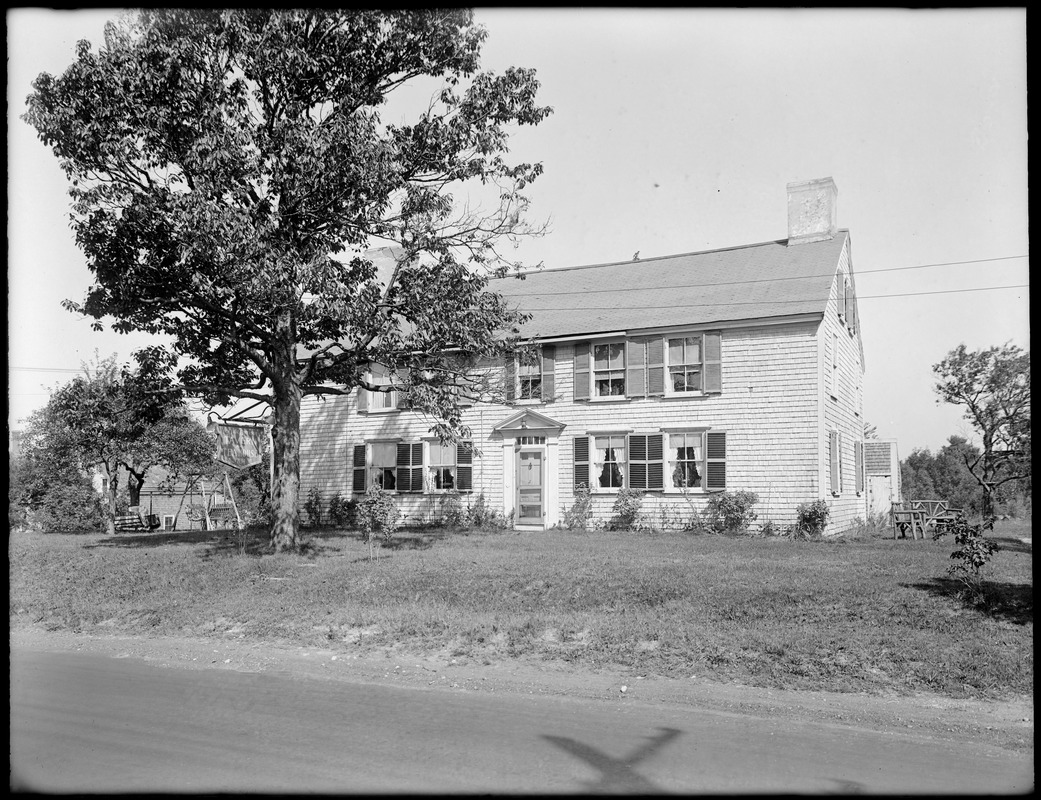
point(286, 493)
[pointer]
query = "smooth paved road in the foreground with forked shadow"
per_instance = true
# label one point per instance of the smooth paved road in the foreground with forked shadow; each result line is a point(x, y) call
point(92, 723)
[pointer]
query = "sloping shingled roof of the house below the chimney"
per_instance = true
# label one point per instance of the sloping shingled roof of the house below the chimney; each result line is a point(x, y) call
point(754, 282)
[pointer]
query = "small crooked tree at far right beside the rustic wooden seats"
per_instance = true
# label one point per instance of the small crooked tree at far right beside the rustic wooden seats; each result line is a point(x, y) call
point(995, 388)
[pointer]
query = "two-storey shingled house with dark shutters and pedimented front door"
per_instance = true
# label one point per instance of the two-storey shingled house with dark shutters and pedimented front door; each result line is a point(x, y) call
point(739, 369)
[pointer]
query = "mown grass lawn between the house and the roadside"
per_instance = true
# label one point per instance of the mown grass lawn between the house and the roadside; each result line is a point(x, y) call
point(864, 615)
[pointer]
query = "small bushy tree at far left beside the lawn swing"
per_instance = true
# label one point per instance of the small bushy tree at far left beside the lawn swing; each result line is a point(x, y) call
point(96, 422)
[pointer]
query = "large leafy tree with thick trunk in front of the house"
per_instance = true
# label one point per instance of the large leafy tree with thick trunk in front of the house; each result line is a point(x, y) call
point(231, 170)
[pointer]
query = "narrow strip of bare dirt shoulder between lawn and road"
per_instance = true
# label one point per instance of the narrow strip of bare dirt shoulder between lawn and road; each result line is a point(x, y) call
point(1007, 723)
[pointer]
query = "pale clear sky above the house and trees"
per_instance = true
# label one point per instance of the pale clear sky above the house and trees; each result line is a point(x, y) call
point(677, 132)
